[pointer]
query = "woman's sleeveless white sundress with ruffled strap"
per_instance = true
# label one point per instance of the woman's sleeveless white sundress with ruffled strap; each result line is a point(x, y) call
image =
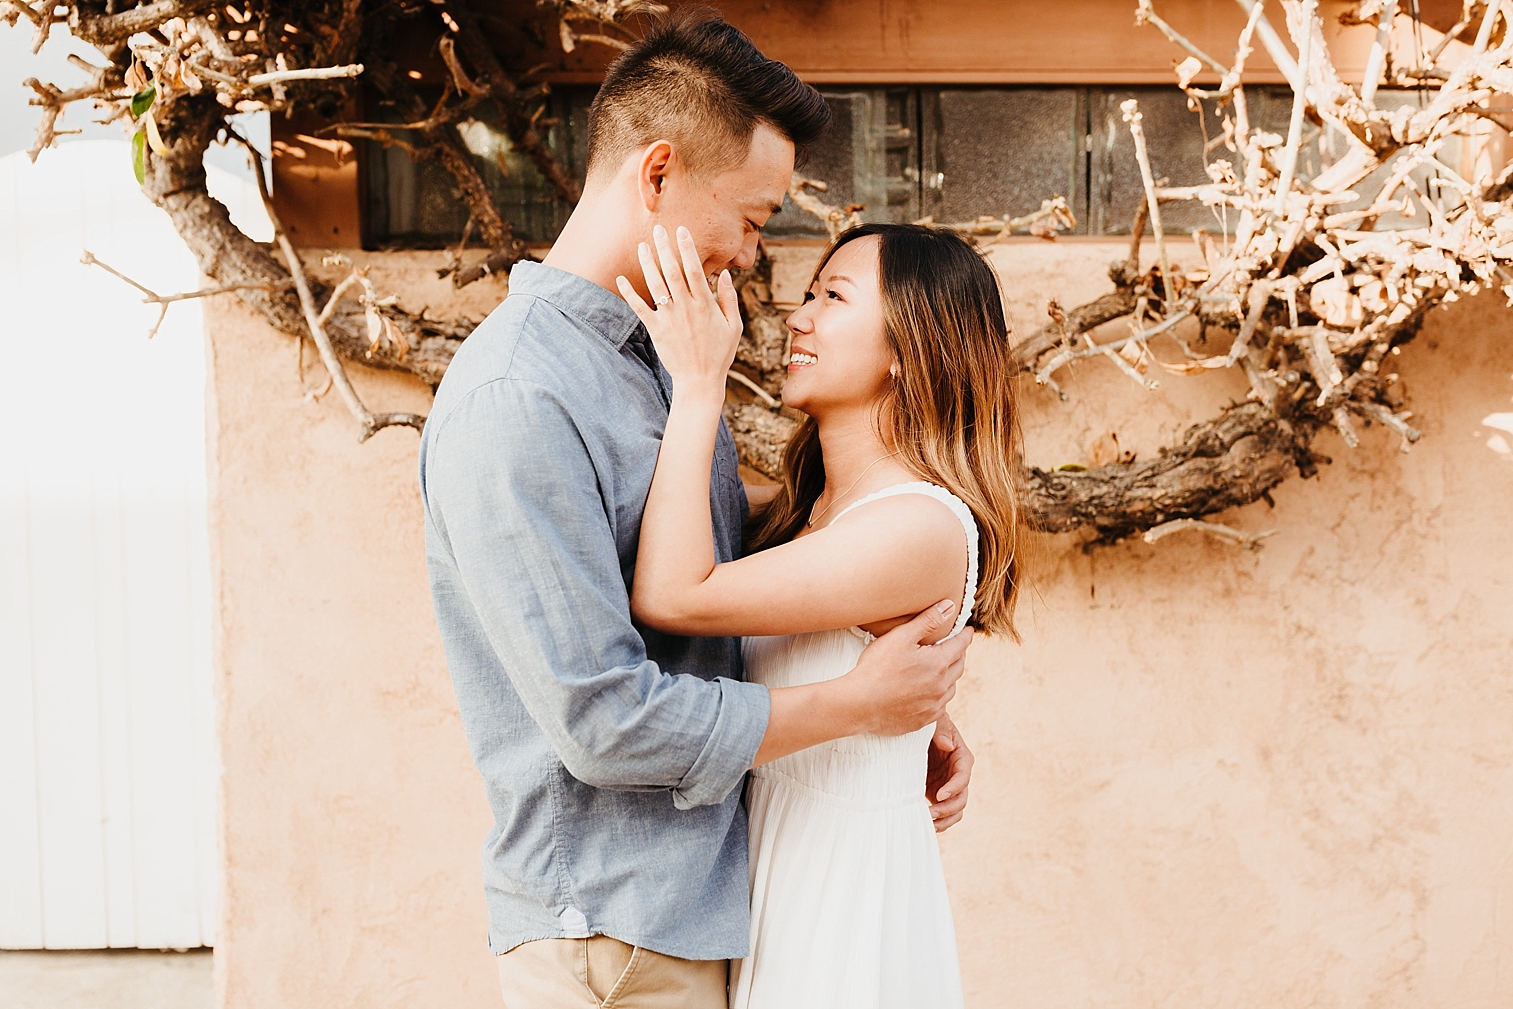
point(850, 905)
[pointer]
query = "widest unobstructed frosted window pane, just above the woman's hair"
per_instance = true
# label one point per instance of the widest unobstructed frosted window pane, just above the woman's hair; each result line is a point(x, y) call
point(1002, 152)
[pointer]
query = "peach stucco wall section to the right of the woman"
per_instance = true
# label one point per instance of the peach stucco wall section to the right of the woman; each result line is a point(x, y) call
point(1257, 780)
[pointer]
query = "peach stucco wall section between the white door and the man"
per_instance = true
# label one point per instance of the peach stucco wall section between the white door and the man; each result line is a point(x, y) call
point(352, 815)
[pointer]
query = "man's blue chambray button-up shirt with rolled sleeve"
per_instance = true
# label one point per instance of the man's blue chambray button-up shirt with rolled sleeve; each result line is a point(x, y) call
point(612, 756)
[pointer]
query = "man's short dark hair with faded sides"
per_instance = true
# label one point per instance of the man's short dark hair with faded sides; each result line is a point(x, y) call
point(701, 84)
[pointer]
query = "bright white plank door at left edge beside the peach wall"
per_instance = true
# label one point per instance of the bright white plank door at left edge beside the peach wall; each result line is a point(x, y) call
point(108, 765)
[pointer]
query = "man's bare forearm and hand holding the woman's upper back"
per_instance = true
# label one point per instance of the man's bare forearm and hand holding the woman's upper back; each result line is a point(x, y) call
point(898, 686)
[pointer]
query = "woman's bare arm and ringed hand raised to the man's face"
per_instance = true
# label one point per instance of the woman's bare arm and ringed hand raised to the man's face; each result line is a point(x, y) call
point(880, 565)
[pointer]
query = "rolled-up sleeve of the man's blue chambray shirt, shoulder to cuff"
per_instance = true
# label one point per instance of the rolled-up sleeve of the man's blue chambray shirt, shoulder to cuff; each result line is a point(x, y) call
point(515, 497)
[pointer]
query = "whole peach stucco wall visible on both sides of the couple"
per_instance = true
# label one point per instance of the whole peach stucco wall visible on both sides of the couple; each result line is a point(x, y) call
point(1208, 778)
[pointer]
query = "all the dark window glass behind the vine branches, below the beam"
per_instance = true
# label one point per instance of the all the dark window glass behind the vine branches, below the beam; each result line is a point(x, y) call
point(904, 154)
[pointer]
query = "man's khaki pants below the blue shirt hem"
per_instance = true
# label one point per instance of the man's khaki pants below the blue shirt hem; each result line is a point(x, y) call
point(604, 973)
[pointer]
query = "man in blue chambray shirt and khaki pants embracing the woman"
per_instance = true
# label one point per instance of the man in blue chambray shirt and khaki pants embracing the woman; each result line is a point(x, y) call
point(614, 756)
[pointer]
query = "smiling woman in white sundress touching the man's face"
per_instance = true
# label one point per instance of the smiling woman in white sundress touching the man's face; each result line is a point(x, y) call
point(899, 491)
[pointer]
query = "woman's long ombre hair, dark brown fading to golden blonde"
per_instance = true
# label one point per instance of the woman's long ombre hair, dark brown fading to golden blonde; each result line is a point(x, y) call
point(951, 412)
